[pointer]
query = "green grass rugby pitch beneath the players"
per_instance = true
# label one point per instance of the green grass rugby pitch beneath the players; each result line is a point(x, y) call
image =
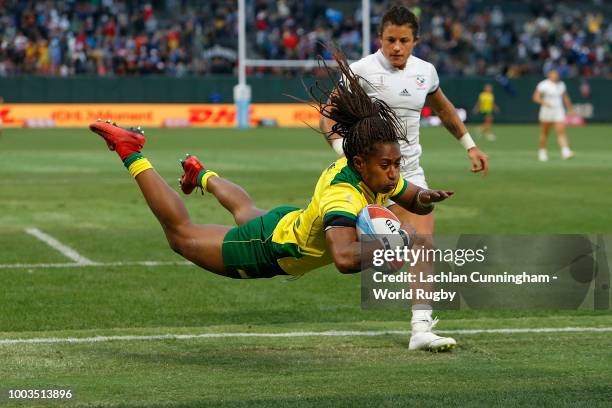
point(66, 184)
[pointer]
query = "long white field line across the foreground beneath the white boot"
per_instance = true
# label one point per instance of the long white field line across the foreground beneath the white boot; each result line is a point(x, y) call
point(331, 333)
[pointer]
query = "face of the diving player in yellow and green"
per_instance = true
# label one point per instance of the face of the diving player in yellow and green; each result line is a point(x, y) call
point(381, 169)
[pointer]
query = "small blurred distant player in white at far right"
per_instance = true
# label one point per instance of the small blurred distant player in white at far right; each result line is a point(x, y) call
point(551, 95)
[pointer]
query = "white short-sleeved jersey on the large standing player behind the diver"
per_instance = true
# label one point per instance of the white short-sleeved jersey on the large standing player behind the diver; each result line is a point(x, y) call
point(404, 90)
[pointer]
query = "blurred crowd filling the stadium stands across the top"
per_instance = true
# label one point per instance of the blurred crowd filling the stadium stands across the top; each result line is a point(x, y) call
point(184, 37)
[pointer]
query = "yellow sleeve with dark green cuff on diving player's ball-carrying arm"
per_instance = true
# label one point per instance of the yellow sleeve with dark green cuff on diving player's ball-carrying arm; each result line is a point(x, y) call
point(340, 205)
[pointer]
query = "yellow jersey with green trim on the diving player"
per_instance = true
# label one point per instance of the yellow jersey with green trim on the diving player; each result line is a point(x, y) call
point(339, 195)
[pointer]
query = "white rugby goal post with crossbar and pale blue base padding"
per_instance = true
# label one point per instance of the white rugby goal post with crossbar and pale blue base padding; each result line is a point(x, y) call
point(242, 91)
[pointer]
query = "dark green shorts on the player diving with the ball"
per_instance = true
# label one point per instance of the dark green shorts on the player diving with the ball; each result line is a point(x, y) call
point(248, 250)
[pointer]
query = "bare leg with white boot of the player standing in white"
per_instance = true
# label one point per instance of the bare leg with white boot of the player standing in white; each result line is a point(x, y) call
point(422, 322)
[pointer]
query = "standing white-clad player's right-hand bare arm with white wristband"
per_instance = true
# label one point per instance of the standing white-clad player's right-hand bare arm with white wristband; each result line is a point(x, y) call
point(452, 122)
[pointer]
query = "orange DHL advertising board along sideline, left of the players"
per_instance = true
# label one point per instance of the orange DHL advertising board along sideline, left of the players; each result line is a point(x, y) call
point(158, 115)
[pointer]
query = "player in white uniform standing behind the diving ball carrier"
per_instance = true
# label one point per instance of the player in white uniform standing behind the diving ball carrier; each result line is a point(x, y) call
point(407, 83)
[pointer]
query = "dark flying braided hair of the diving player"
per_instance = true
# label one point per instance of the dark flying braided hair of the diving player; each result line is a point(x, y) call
point(361, 120)
